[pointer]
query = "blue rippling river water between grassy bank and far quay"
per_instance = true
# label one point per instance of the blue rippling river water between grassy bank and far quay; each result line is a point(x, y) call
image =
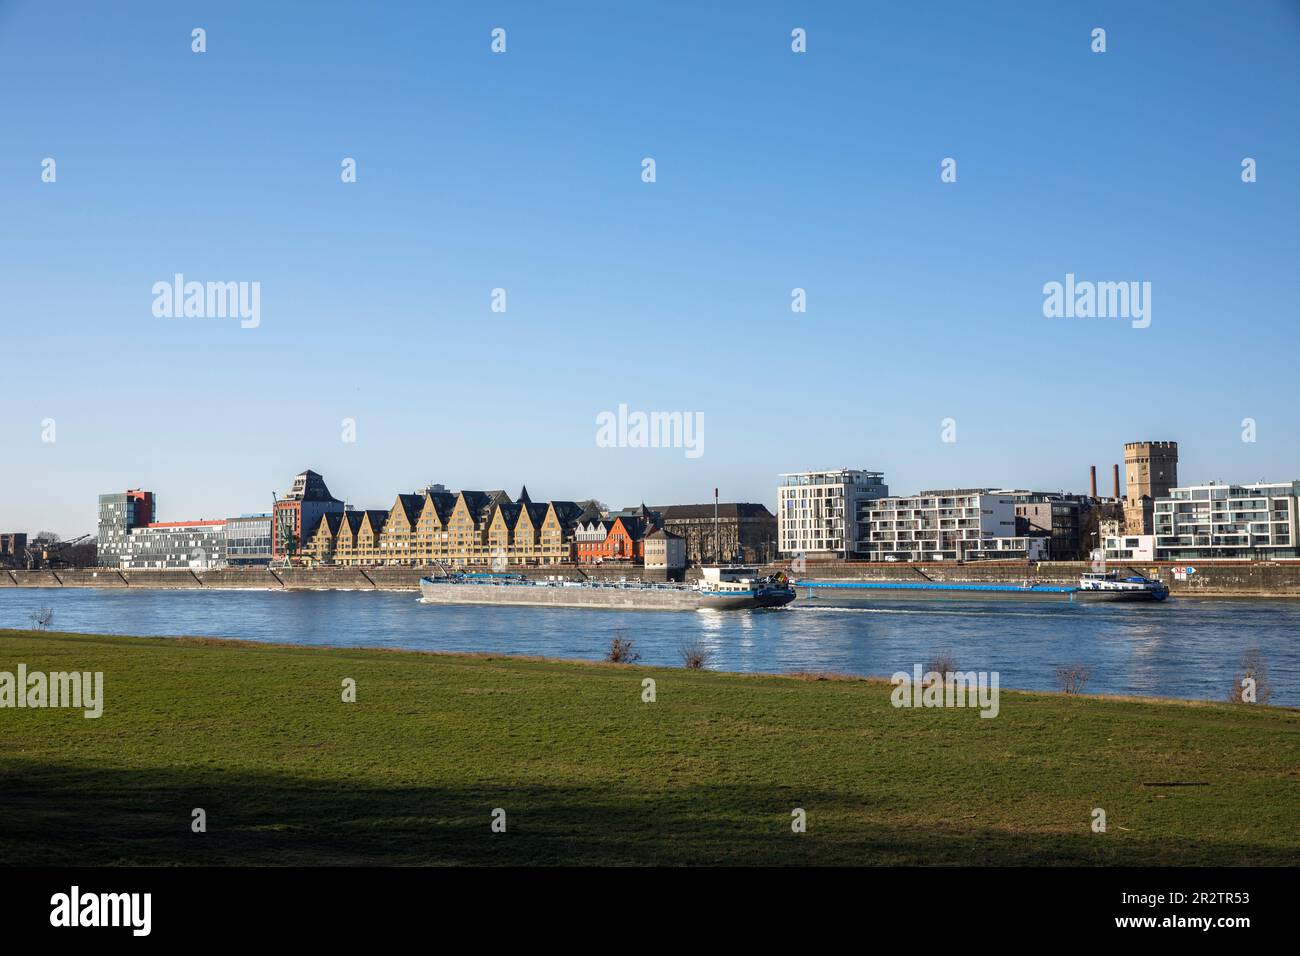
point(1182, 648)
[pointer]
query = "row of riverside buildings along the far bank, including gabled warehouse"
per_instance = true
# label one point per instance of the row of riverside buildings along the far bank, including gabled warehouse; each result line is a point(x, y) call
point(842, 513)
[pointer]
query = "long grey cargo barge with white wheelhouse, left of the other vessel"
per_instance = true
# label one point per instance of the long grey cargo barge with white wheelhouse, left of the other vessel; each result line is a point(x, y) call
point(722, 589)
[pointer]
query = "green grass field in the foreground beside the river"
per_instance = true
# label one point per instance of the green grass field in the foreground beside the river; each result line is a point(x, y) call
point(259, 738)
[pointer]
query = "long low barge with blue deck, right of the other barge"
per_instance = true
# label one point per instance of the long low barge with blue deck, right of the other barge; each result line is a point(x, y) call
point(1104, 587)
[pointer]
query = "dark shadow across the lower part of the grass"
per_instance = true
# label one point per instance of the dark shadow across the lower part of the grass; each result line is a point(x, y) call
point(54, 815)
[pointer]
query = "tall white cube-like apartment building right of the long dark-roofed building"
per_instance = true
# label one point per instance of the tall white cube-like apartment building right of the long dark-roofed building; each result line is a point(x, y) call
point(816, 511)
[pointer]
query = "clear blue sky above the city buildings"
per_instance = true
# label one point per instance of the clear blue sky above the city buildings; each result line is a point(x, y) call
point(525, 171)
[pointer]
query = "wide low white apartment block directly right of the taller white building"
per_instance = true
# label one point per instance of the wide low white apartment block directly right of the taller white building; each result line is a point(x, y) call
point(961, 525)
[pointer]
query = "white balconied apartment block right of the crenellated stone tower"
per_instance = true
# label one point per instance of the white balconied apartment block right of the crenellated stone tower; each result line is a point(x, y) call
point(1217, 521)
